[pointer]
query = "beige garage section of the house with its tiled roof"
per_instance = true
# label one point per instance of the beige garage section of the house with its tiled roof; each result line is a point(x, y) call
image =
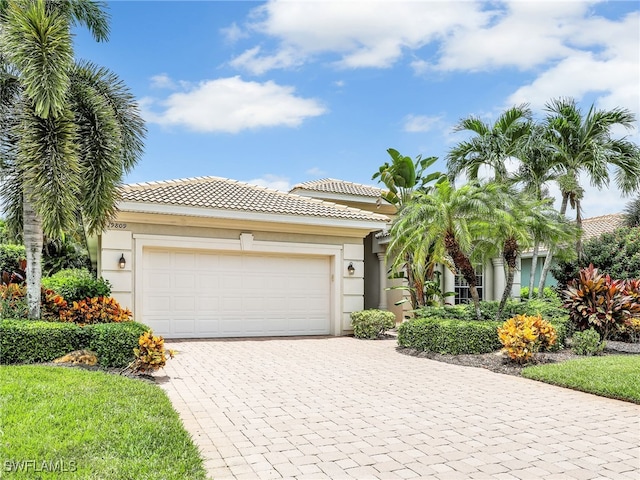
point(213, 257)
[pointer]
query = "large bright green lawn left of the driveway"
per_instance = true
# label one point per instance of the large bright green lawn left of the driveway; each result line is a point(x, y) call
point(90, 425)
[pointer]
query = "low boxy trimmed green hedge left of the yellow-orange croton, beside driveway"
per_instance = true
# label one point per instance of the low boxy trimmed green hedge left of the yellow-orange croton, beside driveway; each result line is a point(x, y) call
point(453, 337)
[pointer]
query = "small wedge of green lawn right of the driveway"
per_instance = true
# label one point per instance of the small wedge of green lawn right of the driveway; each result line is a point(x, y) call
point(613, 376)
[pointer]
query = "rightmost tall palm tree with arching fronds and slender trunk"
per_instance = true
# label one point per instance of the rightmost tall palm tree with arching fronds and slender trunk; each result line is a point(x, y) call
point(582, 144)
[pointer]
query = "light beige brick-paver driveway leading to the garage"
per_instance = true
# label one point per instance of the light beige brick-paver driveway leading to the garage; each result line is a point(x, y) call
point(346, 408)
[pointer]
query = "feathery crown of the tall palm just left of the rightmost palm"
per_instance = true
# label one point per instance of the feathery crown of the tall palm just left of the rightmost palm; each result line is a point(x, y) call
point(491, 146)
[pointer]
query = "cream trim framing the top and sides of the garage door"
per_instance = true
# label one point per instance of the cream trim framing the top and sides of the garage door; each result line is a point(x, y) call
point(234, 245)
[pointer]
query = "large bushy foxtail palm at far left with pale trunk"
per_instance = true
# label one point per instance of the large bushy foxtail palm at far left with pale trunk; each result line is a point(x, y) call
point(72, 129)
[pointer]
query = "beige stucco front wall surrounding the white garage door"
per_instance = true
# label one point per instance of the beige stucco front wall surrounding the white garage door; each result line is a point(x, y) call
point(133, 232)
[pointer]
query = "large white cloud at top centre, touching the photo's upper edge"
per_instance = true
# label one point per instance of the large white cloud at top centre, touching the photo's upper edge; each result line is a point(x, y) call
point(362, 34)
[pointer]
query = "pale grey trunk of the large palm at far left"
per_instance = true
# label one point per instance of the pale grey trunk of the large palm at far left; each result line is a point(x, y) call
point(33, 240)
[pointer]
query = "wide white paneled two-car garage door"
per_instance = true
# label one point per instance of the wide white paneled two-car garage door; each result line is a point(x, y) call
point(191, 294)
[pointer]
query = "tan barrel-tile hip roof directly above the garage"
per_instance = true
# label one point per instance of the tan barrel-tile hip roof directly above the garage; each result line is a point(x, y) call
point(226, 194)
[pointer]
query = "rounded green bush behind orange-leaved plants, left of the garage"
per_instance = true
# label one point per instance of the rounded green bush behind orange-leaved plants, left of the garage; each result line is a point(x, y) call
point(77, 284)
